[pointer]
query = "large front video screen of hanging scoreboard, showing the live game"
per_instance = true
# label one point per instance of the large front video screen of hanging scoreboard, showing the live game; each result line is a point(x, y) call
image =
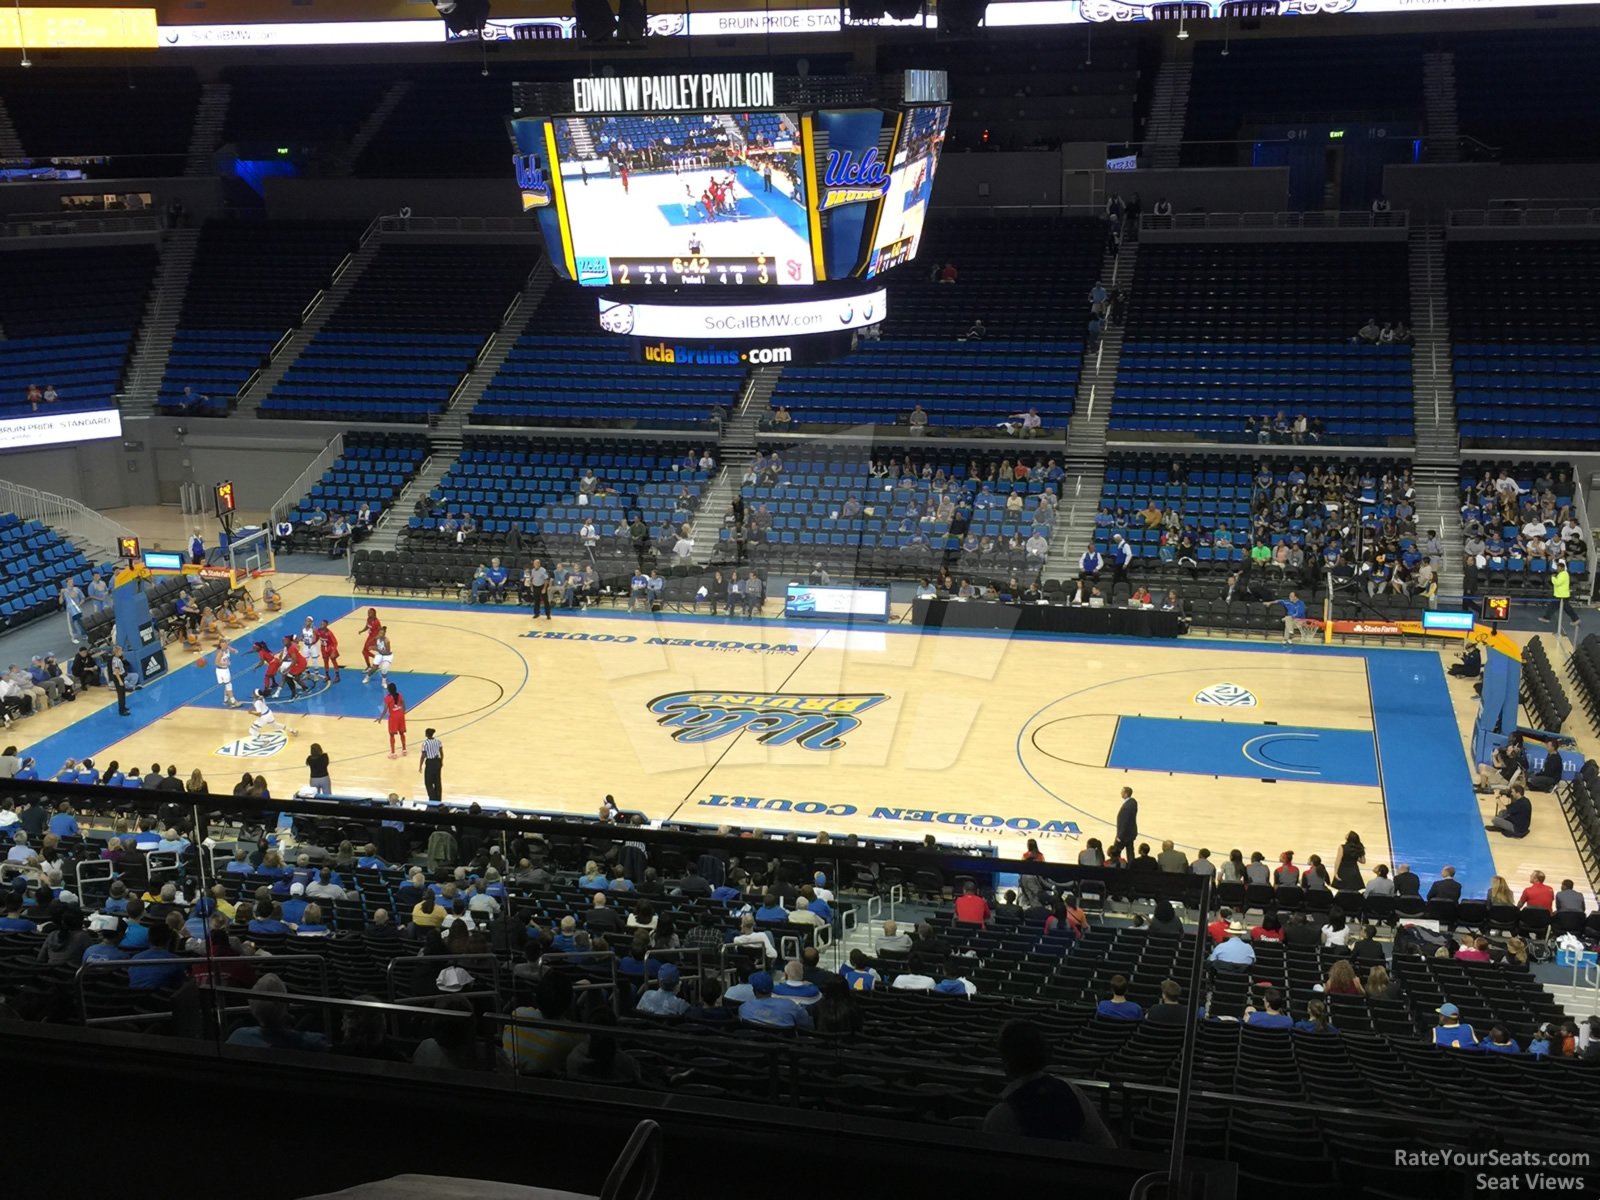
point(686, 199)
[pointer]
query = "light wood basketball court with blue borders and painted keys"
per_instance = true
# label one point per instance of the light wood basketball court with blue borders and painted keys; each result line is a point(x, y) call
point(879, 730)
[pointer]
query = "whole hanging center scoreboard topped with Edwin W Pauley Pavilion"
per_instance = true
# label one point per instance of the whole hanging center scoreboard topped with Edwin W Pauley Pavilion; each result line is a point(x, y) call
point(686, 199)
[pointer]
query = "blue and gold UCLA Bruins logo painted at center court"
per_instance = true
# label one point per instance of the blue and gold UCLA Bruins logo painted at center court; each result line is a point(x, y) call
point(778, 719)
